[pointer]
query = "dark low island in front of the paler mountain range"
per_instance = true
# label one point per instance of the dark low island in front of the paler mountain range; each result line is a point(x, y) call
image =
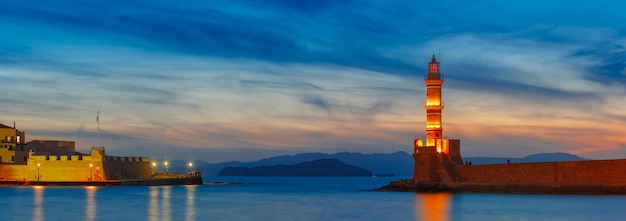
point(323, 167)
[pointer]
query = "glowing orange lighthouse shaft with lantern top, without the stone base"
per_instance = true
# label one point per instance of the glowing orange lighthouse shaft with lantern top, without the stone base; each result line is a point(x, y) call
point(433, 105)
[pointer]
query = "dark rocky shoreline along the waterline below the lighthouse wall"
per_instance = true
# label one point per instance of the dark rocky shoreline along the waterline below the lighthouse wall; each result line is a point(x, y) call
point(512, 188)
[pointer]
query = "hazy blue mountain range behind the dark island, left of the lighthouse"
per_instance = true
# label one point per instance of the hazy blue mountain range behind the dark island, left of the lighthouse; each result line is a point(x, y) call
point(399, 163)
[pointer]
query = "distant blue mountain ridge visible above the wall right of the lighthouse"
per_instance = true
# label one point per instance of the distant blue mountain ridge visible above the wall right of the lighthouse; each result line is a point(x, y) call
point(540, 157)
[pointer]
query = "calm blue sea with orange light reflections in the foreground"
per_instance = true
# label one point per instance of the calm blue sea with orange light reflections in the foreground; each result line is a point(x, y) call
point(293, 198)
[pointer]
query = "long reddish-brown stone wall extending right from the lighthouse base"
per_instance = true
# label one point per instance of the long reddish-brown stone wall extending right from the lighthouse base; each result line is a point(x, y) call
point(593, 171)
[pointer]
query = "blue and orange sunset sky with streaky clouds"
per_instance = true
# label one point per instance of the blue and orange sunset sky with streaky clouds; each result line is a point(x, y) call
point(243, 80)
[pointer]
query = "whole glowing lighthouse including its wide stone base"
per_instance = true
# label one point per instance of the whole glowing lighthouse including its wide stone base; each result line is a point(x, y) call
point(431, 157)
